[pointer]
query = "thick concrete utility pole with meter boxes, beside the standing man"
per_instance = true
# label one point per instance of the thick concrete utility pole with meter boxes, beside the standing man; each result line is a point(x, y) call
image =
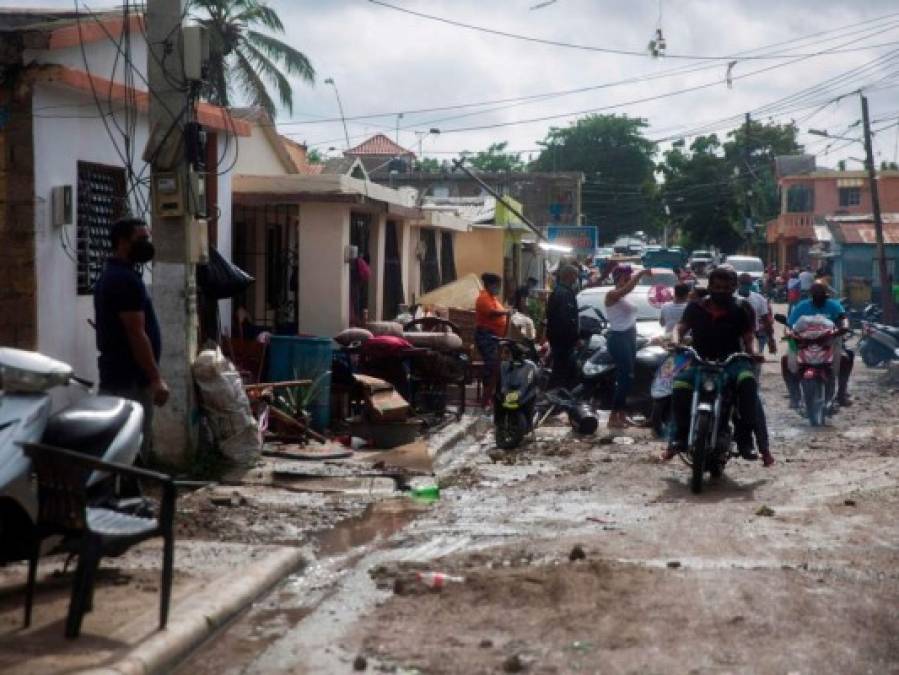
point(174, 286)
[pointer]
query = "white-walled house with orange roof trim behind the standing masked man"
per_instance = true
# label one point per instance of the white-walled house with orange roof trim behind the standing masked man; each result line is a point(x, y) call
point(66, 174)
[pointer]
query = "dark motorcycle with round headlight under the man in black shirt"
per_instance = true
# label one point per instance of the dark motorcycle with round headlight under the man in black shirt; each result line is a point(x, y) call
point(709, 443)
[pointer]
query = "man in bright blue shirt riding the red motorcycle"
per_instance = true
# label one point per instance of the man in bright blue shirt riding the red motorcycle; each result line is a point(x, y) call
point(820, 304)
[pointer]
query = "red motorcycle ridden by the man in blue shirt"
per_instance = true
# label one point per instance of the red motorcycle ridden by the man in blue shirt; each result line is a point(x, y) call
point(814, 337)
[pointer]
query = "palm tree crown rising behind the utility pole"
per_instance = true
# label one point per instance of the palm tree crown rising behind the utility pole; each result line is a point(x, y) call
point(244, 59)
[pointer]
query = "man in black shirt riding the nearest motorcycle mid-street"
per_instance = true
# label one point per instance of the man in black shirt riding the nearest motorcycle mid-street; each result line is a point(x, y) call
point(720, 327)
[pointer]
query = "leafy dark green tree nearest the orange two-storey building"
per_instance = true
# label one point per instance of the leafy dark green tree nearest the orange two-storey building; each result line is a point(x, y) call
point(712, 186)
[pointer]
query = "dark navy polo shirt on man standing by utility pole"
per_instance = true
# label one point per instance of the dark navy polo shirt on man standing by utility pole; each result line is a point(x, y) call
point(121, 289)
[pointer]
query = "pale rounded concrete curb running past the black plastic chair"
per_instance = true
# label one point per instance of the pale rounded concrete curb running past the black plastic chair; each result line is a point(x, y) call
point(198, 618)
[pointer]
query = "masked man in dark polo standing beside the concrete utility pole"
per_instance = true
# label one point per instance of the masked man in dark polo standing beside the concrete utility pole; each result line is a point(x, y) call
point(128, 336)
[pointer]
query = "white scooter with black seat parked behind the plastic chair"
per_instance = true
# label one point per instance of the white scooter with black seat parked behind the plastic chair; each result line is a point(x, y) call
point(106, 427)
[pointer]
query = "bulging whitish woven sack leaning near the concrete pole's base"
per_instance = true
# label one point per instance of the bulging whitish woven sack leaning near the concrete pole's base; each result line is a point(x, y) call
point(225, 404)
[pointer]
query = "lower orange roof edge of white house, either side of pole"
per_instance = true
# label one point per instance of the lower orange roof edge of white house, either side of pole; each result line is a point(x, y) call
point(210, 116)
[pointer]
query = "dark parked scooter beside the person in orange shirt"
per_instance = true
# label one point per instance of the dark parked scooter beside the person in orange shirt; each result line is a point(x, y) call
point(515, 399)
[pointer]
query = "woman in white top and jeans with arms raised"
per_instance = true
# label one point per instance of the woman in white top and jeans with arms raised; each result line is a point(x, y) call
point(621, 338)
